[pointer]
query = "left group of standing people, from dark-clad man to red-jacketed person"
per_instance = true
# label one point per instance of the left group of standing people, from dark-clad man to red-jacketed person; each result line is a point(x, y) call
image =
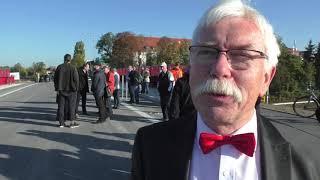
point(72, 85)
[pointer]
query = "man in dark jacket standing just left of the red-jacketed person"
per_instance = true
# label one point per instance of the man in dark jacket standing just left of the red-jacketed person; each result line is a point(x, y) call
point(98, 88)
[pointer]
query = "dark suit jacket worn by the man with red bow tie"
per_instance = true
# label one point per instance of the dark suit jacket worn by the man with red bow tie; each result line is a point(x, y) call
point(163, 151)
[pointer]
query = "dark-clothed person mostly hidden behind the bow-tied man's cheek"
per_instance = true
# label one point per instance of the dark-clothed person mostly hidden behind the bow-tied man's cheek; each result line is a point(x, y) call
point(181, 102)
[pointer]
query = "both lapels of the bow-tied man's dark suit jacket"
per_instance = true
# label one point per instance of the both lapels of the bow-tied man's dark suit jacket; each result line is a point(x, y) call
point(275, 150)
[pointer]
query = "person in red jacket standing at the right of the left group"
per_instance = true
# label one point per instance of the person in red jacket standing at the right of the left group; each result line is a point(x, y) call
point(109, 89)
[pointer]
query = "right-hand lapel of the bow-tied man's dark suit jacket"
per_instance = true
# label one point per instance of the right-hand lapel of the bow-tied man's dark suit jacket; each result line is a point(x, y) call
point(275, 152)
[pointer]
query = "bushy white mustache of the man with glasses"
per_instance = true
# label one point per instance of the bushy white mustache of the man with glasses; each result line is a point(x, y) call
point(221, 87)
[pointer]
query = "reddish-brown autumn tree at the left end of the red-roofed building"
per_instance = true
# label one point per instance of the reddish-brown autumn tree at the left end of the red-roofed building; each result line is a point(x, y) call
point(124, 48)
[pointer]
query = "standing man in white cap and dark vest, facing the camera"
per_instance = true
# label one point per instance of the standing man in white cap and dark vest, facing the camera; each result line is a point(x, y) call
point(165, 87)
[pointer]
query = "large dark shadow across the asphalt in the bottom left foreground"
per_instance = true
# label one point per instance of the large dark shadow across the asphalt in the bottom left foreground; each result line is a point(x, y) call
point(92, 158)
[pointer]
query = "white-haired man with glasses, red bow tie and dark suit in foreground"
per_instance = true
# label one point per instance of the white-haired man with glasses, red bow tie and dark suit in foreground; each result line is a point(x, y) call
point(233, 59)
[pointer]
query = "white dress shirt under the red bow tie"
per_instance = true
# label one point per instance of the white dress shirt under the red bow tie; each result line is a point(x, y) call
point(225, 162)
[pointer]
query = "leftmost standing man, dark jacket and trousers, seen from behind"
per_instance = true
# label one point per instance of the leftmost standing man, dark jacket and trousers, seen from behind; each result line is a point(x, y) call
point(66, 83)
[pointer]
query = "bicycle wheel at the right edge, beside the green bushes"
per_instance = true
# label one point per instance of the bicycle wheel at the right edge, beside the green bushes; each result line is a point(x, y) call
point(305, 106)
